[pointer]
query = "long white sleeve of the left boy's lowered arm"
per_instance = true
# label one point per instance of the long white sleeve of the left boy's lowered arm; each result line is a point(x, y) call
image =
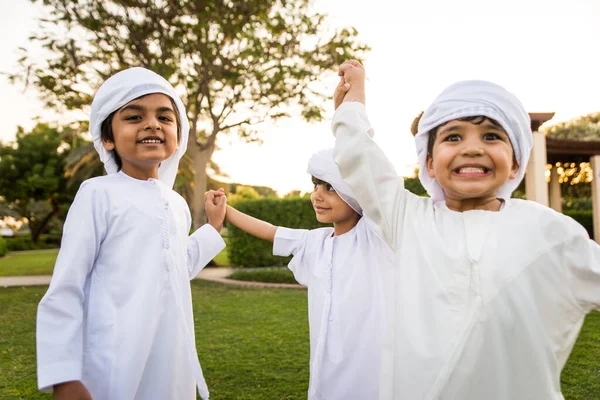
point(59, 337)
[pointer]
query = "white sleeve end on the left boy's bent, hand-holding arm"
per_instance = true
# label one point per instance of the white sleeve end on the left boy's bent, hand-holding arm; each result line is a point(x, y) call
point(203, 246)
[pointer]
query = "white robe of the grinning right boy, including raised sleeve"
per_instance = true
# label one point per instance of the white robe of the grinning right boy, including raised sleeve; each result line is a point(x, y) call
point(485, 305)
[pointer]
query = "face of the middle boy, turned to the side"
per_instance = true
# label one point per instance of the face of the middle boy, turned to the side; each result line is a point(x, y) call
point(329, 206)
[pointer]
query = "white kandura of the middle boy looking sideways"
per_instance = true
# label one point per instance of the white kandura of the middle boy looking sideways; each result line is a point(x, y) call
point(345, 275)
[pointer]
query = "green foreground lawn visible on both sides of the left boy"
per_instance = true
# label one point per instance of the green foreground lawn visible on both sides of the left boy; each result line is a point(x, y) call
point(253, 343)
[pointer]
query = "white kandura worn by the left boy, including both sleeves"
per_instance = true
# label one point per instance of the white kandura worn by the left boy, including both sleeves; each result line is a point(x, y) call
point(118, 312)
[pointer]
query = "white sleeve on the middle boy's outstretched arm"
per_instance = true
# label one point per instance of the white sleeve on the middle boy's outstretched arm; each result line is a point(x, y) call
point(293, 241)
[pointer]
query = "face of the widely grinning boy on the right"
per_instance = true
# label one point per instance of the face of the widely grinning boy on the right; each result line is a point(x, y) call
point(471, 161)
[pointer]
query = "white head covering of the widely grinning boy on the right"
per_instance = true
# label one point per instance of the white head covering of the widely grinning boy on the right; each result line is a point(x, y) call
point(472, 98)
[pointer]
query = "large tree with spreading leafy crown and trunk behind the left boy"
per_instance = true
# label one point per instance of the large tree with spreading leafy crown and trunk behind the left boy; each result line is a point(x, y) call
point(237, 63)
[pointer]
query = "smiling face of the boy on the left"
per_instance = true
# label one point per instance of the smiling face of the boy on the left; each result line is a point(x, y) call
point(145, 133)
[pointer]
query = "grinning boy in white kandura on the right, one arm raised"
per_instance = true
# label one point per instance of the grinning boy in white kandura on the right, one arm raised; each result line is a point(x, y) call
point(490, 291)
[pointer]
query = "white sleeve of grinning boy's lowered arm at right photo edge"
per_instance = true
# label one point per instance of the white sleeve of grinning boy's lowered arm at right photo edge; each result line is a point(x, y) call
point(582, 256)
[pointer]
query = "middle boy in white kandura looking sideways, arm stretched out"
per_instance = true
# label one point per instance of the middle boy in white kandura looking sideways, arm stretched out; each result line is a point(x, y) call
point(344, 269)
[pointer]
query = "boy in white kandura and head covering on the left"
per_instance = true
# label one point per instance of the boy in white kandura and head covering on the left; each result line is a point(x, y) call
point(116, 322)
